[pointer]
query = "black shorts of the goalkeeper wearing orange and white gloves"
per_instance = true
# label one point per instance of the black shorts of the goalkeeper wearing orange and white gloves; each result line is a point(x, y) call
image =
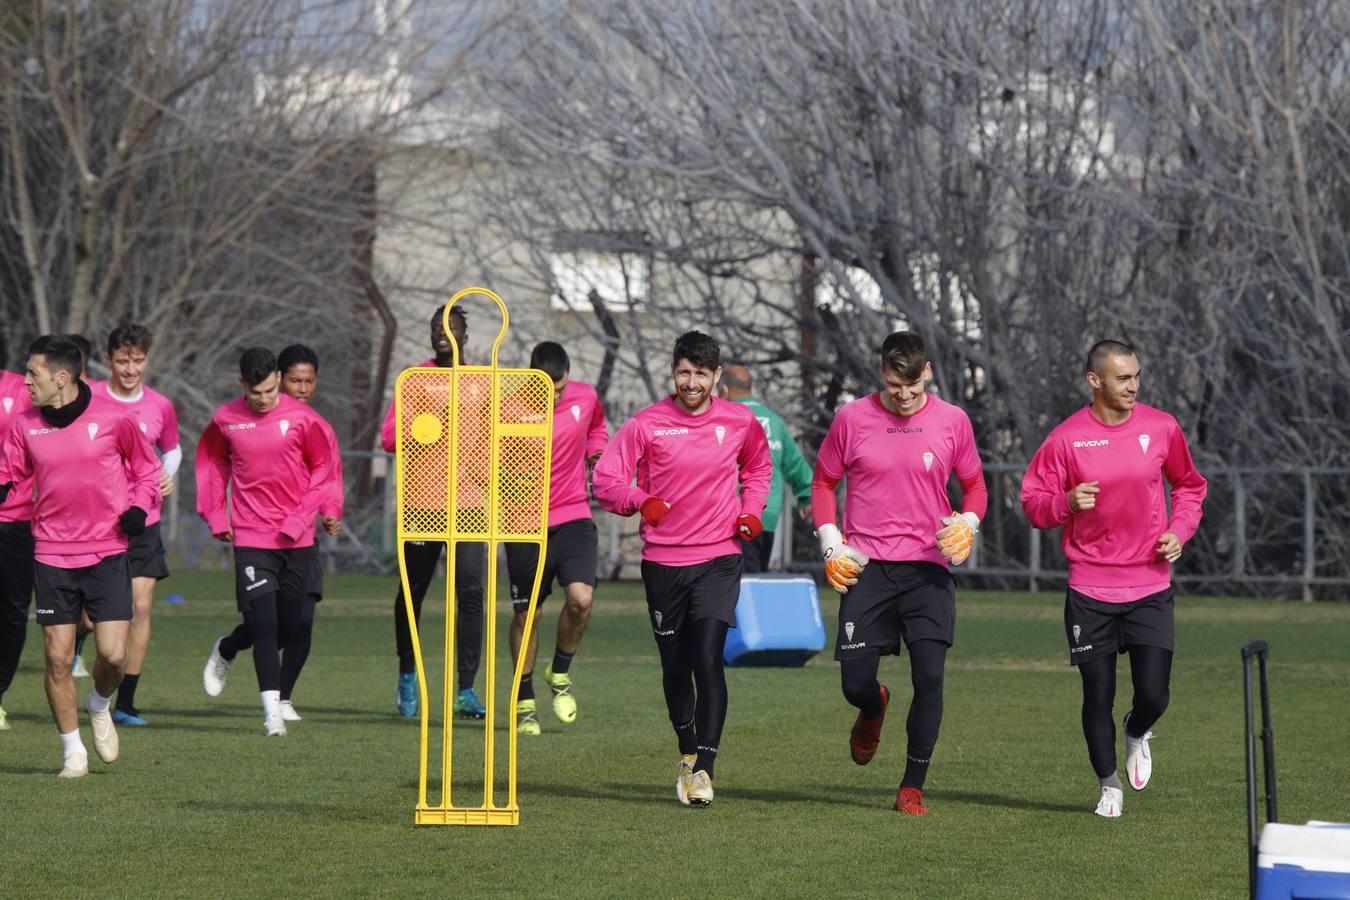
point(894, 602)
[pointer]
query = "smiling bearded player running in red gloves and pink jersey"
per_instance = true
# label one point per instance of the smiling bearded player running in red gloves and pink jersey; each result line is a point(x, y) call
point(691, 453)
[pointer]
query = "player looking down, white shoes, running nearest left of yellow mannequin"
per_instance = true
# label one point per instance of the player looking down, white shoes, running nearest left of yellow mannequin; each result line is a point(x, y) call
point(275, 457)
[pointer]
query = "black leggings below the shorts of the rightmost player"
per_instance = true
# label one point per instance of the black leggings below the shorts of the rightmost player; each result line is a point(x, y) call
point(1151, 671)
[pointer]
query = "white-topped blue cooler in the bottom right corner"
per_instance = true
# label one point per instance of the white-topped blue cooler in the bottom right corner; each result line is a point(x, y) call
point(1305, 862)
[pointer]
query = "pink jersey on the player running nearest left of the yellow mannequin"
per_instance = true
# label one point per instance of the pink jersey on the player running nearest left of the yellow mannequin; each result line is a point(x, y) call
point(279, 468)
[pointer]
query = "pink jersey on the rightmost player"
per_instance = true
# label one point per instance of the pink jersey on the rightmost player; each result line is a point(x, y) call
point(1113, 546)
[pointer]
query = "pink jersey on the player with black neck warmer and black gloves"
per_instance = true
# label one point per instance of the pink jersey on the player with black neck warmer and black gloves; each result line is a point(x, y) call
point(88, 474)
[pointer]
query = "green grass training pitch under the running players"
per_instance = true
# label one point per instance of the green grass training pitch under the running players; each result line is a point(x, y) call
point(202, 804)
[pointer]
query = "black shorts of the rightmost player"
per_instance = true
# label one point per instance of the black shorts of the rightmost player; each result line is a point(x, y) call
point(1097, 629)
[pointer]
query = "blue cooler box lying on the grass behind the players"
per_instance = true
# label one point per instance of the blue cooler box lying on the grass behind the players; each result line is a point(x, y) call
point(778, 623)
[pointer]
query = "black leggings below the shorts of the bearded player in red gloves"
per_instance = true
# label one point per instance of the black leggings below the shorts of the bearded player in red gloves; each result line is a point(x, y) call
point(696, 687)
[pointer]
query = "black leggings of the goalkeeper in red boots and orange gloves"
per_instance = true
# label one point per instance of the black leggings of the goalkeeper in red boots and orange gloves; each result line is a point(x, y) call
point(928, 660)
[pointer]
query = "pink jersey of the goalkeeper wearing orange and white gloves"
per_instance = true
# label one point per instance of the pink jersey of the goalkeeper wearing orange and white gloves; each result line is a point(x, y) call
point(897, 470)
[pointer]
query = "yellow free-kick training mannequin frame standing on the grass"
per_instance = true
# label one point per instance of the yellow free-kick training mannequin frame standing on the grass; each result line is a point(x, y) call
point(534, 531)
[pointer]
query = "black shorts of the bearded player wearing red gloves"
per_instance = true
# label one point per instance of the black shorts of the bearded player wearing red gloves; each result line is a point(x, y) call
point(704, 592)
